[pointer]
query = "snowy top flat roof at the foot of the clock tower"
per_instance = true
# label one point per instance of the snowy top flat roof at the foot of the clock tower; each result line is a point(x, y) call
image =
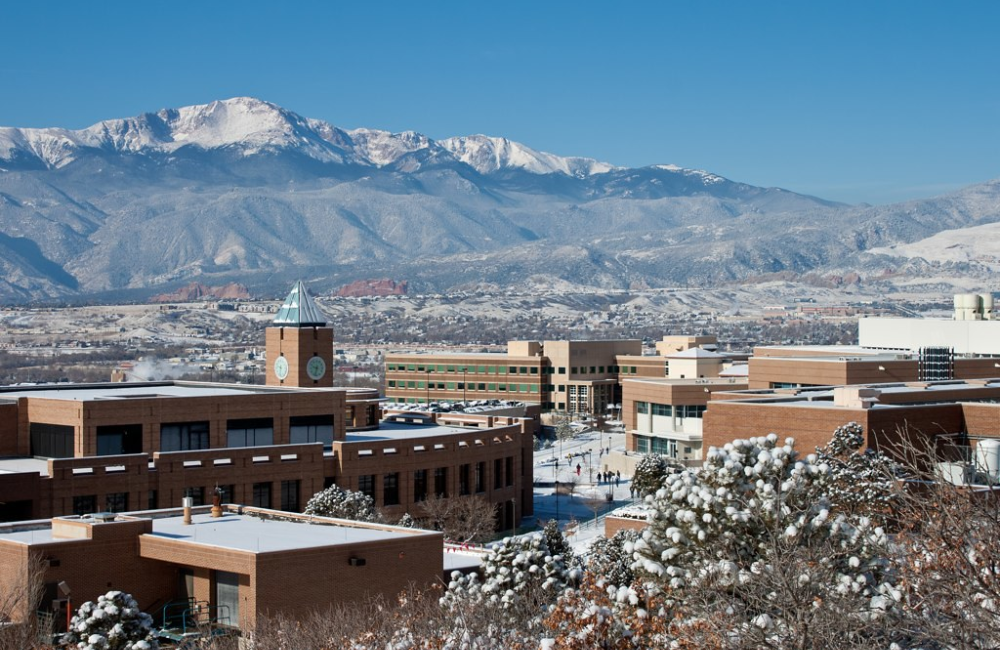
point(150, 390)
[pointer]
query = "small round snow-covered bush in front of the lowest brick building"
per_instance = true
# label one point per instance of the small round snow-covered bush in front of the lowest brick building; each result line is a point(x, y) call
point(114, 622)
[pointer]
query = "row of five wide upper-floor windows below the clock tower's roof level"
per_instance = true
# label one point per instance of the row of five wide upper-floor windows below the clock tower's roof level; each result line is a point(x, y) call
point(56, 441)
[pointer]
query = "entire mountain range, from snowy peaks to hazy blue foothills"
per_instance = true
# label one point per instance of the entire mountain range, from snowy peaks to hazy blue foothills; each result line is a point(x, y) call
point(245, 190)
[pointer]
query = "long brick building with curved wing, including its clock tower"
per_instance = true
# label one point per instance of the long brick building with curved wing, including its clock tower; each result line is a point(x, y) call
point(78, 449)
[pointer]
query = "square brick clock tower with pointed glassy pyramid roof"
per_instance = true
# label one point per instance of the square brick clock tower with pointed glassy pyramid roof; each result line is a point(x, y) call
point(299, 344)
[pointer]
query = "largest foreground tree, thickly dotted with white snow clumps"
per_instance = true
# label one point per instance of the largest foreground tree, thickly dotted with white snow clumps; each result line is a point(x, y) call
point(751, 547)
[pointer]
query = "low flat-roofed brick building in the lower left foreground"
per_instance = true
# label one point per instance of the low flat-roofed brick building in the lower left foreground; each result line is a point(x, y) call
point(227, 569)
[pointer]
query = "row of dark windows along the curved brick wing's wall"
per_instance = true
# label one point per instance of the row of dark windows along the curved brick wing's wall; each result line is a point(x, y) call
point(426, 483)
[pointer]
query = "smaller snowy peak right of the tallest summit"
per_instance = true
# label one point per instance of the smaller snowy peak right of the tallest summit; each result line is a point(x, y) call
point(489, 154)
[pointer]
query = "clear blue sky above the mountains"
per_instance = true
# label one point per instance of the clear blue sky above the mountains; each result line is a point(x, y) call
point(853, 101)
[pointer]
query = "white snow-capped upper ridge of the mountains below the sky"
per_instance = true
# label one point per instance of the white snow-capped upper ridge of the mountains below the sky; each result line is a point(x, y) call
point(252, 126)
